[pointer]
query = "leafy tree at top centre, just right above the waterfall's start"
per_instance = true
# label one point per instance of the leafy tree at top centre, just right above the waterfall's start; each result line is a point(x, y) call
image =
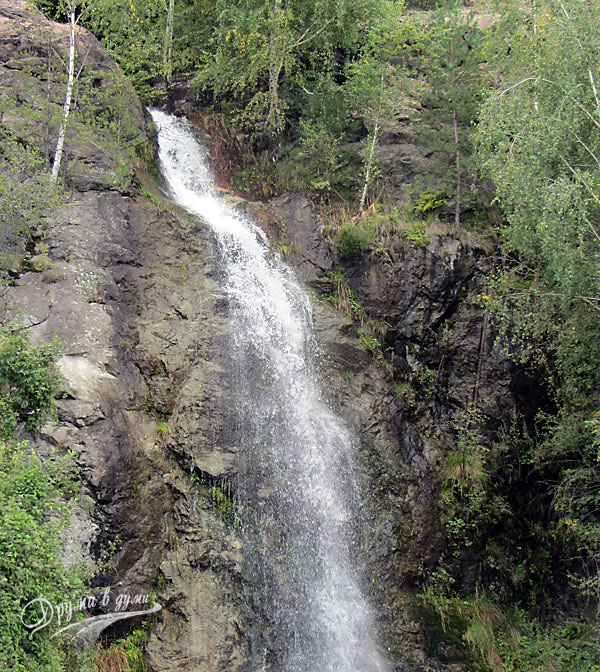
point(265, 52)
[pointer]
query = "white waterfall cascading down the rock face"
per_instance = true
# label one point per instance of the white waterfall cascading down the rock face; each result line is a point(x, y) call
point(297, 477)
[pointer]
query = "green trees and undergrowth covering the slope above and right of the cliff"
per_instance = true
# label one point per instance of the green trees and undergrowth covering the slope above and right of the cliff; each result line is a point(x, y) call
point(509, 114)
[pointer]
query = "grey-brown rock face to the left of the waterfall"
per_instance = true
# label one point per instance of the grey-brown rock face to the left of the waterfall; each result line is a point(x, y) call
point(132, 298)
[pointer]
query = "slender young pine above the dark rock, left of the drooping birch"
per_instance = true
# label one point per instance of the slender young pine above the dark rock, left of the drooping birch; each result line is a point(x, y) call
point(444, 71)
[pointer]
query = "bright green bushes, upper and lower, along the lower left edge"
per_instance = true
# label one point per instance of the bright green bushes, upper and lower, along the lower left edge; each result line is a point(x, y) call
point(36, 500)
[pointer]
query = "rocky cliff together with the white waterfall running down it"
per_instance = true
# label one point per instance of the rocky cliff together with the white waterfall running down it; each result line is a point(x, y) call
point(163, 320)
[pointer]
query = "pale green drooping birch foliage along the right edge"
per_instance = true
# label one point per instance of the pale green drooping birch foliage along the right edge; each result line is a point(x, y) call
point(538, 142)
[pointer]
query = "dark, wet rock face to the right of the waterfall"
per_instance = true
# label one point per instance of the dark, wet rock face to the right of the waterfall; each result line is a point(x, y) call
point(444, 360)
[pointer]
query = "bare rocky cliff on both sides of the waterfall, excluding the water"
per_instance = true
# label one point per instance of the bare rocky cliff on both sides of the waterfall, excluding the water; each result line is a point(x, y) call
point(132, 292)
